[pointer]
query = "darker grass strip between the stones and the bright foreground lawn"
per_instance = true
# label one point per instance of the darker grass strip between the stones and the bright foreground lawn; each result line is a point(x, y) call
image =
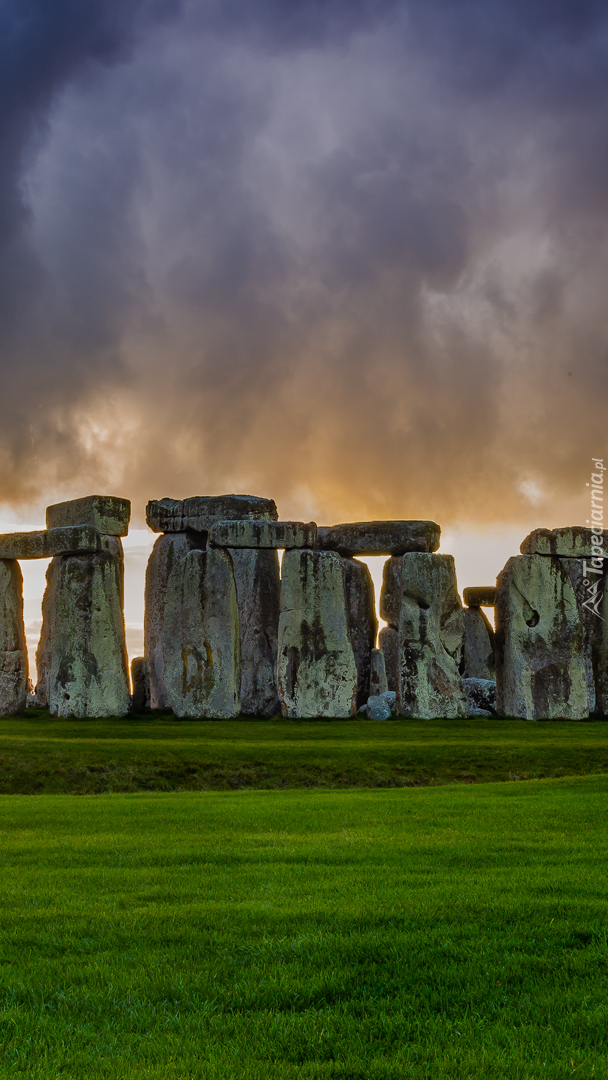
point(39, 754)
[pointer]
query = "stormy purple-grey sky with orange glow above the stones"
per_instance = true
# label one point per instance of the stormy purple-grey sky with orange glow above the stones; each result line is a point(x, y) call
point(348, 254)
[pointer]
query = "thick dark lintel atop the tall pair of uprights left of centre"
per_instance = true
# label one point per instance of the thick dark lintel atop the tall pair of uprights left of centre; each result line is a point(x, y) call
point(200, 512)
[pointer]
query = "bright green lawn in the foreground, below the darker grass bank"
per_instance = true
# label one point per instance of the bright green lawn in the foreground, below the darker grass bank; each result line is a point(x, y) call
point(448, 933)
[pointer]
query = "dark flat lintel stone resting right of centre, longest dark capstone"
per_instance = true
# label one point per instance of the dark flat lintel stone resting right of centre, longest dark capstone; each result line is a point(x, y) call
point(380, 538)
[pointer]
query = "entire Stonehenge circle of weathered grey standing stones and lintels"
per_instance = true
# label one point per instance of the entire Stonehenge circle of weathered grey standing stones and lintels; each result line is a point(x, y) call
point(227, 632)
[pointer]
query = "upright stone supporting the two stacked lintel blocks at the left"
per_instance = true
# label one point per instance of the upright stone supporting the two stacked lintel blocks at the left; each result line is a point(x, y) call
point(83, 654)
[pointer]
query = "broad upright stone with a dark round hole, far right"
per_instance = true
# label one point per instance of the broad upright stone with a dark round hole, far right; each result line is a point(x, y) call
point(542, 672)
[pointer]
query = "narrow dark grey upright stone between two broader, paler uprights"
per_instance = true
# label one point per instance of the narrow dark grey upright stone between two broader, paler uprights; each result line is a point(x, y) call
point(259, 592)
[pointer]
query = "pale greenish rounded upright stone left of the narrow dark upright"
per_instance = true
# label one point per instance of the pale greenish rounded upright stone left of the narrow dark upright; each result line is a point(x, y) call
point(200, 637)
